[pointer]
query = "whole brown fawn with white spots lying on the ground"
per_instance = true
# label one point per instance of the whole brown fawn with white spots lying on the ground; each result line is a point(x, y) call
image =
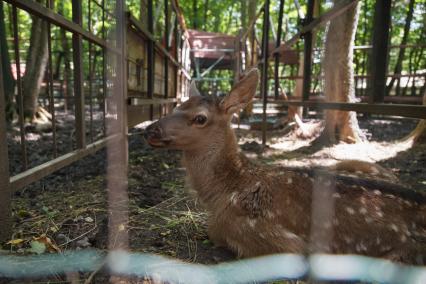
point(257, 210)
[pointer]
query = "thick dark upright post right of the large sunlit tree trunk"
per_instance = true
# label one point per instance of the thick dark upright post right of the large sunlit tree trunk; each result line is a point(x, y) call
point(379, 53)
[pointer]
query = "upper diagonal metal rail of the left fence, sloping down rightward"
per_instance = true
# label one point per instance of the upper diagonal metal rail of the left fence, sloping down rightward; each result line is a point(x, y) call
point(36, 9)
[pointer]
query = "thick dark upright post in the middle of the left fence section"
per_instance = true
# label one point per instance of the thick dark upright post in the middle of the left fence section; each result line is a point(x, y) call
point(78, 77)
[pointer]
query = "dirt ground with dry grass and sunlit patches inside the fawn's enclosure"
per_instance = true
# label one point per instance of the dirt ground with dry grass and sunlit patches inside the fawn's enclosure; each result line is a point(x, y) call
point(165, 218)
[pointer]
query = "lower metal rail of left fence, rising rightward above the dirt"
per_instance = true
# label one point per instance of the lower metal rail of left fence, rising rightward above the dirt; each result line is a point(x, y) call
point(34, 174)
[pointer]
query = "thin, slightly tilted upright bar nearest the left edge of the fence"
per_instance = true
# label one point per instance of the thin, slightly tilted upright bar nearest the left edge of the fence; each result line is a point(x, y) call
point(19, 85)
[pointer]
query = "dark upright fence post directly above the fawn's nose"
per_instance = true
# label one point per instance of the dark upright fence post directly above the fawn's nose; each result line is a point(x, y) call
point(151, 57)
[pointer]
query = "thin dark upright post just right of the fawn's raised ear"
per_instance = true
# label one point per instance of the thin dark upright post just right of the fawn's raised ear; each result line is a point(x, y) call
point(264, 77)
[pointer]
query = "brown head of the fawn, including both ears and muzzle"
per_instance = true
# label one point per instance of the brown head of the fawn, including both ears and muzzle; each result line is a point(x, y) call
point(201, 120)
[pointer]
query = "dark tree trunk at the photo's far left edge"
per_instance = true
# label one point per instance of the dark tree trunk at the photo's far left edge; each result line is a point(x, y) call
point(8, 80)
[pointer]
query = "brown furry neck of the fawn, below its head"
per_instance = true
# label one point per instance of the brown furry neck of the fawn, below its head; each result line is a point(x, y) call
point(210, 170)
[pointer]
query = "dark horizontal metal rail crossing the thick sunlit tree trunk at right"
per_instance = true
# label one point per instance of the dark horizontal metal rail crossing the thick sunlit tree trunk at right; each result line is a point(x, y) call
point(414, 111)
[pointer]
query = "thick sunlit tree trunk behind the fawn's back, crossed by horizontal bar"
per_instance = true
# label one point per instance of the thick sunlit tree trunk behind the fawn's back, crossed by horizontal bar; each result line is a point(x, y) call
point(339, 78)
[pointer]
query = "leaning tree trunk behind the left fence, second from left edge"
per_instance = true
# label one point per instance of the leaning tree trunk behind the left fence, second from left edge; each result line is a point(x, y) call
point(35, 67)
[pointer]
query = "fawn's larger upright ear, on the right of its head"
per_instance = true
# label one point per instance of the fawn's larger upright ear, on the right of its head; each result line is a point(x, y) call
point(242, 93)
